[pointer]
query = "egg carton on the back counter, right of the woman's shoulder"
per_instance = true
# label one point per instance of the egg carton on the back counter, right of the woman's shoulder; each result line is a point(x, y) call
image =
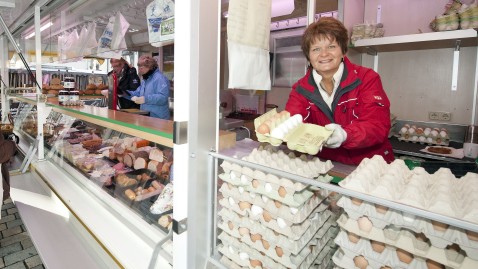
point(424, 135)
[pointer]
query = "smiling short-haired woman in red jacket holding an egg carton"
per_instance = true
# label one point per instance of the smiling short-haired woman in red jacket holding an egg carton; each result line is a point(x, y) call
point(346, 98)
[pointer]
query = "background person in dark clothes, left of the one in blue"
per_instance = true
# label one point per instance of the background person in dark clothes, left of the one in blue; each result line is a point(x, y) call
point(128, 79)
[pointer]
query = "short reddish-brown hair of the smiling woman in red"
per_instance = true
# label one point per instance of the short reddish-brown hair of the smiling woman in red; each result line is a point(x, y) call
point(325, 27)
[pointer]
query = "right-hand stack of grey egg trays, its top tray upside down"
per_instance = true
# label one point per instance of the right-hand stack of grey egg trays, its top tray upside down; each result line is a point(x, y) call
point(374, 236)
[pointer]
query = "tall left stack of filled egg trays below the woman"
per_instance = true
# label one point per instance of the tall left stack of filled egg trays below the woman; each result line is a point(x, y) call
point(271, 222)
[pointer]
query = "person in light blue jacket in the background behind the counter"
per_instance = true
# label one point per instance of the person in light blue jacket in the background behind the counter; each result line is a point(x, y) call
point(153, 93)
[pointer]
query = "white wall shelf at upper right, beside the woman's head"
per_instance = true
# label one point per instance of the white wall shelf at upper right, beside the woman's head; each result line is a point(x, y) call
point(435, 40)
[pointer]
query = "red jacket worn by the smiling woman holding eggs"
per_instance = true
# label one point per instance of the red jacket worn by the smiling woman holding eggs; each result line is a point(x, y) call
point(360, 106)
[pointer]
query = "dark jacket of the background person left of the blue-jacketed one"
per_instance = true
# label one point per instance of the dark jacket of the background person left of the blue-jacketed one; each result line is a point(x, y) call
point(128, 82)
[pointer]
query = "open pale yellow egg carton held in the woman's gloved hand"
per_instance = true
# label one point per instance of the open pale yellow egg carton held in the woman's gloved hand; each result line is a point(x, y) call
point(276, 128)
